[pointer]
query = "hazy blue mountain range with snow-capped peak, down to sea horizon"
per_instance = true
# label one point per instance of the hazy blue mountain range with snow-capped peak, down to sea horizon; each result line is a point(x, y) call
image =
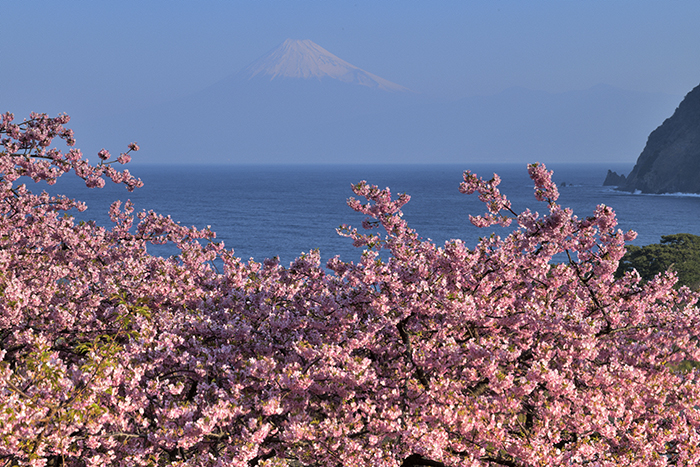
point(300, 103)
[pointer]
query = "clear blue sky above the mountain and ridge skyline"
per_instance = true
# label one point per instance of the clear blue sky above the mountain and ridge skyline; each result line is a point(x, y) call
point(110, 56)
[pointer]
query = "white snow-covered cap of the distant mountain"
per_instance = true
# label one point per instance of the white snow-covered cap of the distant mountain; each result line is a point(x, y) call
point(304, 59)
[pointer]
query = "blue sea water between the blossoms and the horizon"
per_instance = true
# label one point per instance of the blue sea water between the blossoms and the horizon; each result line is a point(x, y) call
point(266, 211)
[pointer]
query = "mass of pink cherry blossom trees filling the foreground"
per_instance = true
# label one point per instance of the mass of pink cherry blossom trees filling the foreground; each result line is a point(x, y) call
point(438, 356)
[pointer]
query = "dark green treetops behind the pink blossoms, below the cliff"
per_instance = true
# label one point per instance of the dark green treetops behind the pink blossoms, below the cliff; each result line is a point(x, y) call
point(679, 252)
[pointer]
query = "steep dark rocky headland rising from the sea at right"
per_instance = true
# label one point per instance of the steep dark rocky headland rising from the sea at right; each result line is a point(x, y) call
point(670, 161)
